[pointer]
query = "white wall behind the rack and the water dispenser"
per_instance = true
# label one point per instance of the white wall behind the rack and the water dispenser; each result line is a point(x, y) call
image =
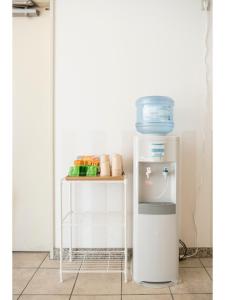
point(109, 53)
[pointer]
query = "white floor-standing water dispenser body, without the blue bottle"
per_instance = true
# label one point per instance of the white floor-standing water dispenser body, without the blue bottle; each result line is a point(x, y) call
point(155, 233)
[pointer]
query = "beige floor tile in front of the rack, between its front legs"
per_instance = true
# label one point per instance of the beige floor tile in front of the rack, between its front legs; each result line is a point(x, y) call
point(98, 284)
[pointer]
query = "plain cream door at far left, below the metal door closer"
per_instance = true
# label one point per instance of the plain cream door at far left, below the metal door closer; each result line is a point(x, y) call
point(32, 132)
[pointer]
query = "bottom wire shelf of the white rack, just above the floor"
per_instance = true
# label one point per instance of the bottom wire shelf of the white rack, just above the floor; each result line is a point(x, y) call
point(93, 261)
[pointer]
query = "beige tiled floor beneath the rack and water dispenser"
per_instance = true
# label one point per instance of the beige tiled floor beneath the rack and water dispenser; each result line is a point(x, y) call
point(35, 277)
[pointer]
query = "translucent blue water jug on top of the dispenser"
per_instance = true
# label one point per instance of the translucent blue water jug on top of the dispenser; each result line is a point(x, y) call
point(154, 115)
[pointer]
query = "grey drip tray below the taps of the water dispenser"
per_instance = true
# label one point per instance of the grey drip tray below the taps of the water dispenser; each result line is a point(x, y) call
point(157, 208)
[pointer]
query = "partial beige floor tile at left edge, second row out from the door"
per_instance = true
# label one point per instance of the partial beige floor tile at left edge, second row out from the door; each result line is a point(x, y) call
point(20, 279)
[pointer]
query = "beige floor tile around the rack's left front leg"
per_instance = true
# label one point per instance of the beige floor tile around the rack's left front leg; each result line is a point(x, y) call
point(46, 281)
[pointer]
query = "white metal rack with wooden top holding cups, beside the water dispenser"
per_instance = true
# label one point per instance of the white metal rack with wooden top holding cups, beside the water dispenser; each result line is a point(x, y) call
point(86, 260)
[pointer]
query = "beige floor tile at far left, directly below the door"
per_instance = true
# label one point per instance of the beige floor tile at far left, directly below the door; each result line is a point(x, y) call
point(28, 259)
